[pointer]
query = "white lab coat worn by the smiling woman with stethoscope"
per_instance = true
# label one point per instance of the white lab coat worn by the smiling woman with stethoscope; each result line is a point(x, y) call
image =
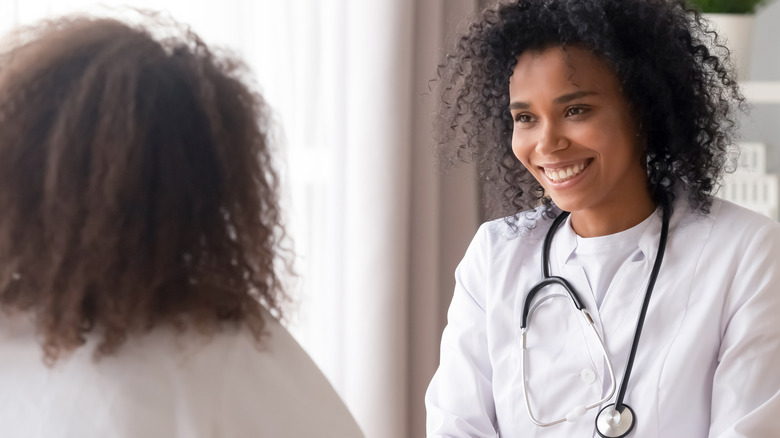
point(709, 355)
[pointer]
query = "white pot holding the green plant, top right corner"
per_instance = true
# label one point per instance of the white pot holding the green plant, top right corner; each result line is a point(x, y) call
point(737, 31)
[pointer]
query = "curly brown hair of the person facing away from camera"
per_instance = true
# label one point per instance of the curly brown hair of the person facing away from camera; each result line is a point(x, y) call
point(137, 184)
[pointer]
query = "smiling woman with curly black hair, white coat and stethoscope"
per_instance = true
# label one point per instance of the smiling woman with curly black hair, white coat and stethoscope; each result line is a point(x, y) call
point(620, 298)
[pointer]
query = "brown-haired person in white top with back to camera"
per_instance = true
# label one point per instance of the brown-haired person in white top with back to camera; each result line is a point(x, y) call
point(141, 244)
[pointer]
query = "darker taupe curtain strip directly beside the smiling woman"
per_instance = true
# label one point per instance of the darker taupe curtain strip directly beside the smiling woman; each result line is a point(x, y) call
point(444, 209)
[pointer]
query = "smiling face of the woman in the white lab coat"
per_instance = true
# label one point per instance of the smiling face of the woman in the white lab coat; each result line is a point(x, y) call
point(573, 130)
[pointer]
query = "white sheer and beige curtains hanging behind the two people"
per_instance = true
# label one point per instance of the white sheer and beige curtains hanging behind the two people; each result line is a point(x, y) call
point(377, 228)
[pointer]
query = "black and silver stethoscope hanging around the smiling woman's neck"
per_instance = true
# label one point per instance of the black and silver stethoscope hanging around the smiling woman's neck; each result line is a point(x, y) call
point(615, 420)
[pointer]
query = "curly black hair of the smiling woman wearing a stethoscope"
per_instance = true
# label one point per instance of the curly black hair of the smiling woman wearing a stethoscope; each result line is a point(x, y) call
point(672, 67)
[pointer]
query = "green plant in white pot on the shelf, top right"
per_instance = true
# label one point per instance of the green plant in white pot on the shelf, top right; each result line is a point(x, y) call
point(734, 21)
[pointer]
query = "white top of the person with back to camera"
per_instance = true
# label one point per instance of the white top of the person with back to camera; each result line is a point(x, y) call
point(162, 385)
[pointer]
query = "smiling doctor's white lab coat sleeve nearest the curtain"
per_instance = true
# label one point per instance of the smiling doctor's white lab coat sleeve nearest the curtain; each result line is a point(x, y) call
point(459, 400)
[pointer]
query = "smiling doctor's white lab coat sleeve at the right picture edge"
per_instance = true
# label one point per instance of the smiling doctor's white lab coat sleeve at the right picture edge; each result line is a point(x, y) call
point(746, 386)
